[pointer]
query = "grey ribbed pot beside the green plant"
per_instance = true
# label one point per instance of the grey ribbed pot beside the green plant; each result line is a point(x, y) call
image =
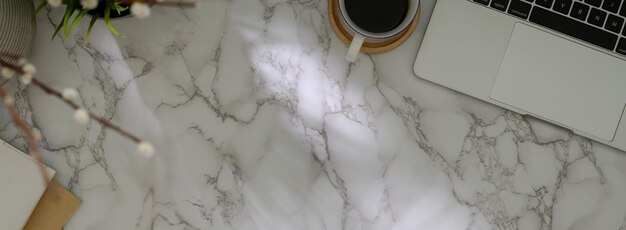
point(17, 27)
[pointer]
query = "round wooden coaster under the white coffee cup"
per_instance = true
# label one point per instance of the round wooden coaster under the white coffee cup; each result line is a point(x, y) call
point(368, 47)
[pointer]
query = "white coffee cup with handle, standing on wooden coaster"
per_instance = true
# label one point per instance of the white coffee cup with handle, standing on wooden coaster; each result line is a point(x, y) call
point(361, 36)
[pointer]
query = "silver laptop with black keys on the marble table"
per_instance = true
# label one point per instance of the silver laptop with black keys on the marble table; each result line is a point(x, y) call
point(563, 61)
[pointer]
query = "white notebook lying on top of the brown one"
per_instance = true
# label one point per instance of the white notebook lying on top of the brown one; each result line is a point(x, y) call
point(21, 187)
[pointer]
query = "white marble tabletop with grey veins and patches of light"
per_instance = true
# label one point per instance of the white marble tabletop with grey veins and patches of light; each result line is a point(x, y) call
point(260, 123)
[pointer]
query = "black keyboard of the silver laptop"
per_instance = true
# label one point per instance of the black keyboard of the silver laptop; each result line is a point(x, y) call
point(599, 22)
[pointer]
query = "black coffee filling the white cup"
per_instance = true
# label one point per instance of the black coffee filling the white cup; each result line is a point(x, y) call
point(377, 16)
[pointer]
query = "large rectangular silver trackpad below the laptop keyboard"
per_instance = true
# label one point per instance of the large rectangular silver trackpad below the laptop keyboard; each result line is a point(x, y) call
point(562, 81)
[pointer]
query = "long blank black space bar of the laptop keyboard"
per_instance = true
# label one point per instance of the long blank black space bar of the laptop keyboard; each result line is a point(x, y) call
point(573, 28)
